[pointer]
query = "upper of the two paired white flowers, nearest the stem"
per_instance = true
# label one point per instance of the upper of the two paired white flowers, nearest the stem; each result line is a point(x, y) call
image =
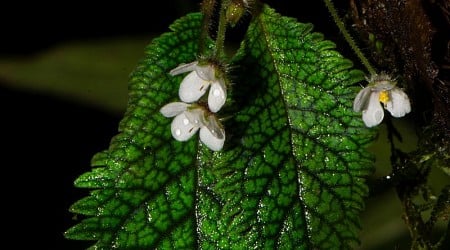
point(196, 83)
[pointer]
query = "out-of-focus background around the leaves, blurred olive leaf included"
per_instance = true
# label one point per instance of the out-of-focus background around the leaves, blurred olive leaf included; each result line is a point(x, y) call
point(64, 70)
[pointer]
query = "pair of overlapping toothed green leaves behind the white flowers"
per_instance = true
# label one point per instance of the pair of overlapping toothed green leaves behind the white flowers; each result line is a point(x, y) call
point(291, 174)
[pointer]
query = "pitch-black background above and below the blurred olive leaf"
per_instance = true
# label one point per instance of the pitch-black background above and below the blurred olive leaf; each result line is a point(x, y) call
point(48, 141)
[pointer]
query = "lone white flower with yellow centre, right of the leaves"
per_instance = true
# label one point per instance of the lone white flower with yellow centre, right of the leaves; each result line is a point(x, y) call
point(381, 89)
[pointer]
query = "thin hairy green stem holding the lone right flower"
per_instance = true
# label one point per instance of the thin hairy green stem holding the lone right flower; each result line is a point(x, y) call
point(347, 36)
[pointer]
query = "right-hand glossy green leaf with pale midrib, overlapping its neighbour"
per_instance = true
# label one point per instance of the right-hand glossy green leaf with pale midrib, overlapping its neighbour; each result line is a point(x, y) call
point(296, 160)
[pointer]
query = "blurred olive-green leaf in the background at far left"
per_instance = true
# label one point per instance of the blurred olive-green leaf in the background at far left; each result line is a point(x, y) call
point(91, 72)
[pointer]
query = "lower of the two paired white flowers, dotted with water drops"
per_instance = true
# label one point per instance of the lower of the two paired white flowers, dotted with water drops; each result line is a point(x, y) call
point(189, 119)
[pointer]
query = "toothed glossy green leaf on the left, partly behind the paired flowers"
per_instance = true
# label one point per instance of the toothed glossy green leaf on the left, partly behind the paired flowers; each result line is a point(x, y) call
point(147, 184)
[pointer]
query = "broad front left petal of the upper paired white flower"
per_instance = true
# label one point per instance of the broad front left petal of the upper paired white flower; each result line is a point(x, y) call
point(192, 88)
